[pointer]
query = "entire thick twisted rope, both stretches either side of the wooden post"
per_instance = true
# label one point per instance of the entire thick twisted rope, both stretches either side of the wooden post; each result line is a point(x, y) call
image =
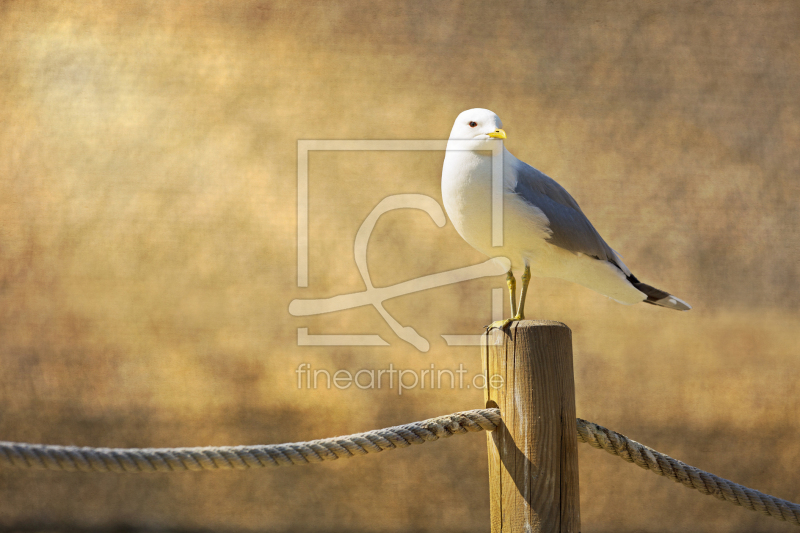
point(73, 458)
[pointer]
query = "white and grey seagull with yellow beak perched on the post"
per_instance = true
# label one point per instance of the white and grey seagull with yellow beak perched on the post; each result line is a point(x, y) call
point(545, 233)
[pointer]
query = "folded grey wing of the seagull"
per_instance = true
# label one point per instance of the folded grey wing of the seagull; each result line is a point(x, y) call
point(571, 229)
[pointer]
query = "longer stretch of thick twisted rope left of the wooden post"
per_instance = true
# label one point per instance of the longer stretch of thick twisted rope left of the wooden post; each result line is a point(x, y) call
point(73, 458)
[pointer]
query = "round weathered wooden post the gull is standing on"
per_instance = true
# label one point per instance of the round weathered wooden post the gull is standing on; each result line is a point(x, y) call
point(533, 455)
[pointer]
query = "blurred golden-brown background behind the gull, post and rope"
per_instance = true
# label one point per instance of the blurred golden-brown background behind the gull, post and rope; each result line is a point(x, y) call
point(148, 180)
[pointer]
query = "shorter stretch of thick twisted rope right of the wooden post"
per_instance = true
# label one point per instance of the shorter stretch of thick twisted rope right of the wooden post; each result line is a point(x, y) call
point(664, 465)
